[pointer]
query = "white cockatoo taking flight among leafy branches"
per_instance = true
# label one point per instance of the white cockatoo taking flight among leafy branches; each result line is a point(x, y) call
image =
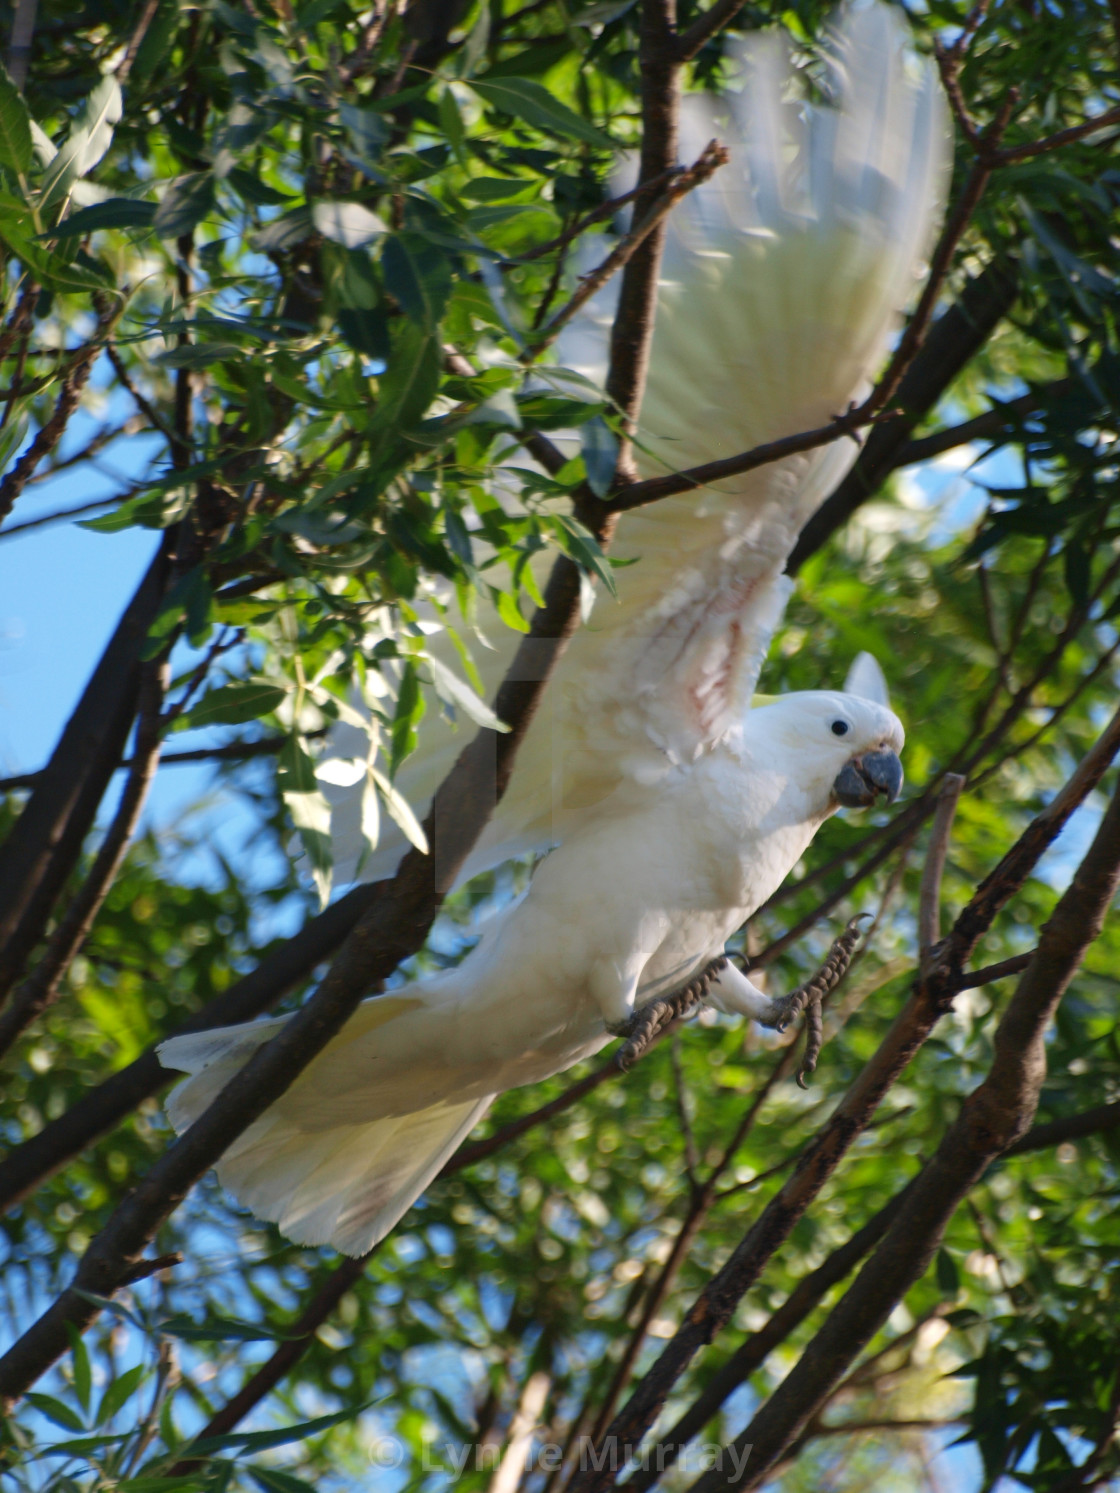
point(676, 804)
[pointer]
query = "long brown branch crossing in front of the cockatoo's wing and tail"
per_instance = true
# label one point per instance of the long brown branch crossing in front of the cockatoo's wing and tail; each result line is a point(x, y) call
point(401, 913)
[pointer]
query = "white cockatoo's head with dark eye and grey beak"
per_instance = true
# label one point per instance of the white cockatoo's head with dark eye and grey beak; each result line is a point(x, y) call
point(846, 743)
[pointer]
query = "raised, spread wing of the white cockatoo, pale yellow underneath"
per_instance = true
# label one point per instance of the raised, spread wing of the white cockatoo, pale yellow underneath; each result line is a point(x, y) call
point(783, 283)
